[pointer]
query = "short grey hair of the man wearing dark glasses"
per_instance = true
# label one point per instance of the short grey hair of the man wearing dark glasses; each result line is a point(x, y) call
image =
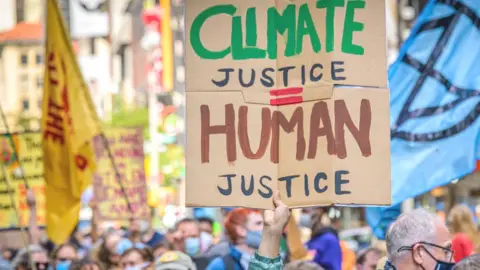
point(409, 229)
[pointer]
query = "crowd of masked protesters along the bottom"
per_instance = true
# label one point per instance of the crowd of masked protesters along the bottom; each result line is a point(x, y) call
point(254, 240)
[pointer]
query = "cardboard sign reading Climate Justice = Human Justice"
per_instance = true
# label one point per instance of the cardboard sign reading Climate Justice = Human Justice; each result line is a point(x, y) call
point(289, 96)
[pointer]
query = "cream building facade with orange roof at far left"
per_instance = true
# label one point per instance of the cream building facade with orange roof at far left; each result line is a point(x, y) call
point(21, 76)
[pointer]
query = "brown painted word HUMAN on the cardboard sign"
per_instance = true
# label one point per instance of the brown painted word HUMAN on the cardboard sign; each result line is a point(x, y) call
point(276, 122)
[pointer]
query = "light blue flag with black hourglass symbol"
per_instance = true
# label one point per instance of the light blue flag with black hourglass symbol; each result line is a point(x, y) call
point(435, 99)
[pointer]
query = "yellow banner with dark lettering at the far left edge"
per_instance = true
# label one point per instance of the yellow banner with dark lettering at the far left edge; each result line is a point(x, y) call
point(30, 155)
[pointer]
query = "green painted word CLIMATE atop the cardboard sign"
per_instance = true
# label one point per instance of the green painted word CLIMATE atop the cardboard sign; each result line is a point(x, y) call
point(295, 23)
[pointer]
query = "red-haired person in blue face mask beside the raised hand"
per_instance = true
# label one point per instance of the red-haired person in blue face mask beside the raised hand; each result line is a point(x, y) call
point(244, 228)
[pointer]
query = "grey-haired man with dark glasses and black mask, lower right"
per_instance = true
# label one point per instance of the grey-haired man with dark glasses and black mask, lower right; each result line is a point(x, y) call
point(419, 240)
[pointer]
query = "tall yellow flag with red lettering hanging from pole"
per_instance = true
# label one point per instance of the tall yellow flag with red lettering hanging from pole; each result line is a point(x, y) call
point(69, 124)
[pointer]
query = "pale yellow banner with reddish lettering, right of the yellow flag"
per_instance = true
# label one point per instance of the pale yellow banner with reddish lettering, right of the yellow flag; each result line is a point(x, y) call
point(126, 145)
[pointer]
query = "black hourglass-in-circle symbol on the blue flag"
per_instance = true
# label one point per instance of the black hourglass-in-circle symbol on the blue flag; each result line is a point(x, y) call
point(427, 70)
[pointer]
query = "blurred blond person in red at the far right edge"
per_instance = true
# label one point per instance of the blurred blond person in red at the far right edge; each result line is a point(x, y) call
point(465, 234)
